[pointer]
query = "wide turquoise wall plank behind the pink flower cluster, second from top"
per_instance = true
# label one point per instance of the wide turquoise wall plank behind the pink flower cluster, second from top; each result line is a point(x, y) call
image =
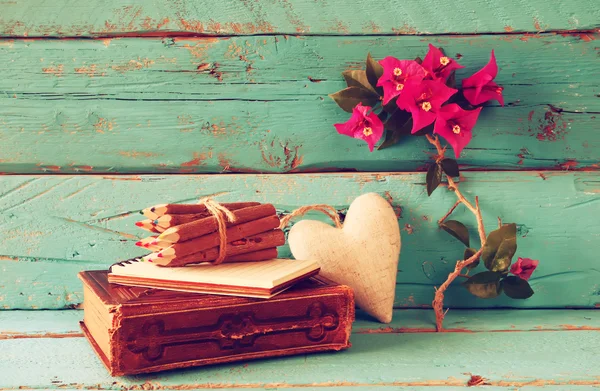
point(142, 106)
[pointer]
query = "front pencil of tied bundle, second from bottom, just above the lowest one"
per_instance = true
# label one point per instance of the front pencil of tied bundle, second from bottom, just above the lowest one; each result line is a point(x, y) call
point(234, 233)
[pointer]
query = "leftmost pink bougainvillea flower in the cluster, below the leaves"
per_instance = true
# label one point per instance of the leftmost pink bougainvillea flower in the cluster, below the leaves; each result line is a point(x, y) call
point(367, 127)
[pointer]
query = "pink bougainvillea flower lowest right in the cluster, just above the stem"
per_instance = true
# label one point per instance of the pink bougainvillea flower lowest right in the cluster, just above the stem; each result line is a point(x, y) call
point(455, 125)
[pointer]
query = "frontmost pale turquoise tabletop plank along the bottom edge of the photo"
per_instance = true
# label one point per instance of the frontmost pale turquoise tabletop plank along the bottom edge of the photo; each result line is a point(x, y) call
point(559, 358)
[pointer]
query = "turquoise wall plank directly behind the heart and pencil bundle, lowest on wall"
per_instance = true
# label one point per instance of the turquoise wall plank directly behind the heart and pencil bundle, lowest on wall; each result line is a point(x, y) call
point(55, 226)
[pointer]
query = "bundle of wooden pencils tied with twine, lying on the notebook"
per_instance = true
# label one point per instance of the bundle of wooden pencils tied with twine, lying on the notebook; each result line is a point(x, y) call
point(188, 233)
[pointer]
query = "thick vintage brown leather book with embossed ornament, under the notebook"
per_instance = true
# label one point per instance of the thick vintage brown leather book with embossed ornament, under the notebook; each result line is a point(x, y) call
point(140, 330)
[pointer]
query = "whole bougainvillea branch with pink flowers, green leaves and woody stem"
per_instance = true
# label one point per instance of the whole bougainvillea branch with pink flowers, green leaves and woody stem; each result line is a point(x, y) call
point(396, 98)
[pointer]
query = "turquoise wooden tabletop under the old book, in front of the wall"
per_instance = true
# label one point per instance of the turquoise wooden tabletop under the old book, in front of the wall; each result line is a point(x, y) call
point(513, 350)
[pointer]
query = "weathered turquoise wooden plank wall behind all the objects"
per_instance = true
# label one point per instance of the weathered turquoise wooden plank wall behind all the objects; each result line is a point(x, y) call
point(109, 90)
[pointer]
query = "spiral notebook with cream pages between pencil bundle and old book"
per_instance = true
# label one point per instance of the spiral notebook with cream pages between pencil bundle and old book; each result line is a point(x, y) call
point(263, 279)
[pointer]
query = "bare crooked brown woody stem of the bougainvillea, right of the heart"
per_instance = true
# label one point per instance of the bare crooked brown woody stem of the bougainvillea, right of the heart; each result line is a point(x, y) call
point(438, 301)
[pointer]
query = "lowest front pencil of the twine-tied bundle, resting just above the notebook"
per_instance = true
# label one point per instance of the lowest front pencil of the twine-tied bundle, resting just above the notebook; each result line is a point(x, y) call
point(263, 241)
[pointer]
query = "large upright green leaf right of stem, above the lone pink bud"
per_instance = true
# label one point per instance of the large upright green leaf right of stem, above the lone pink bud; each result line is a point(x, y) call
point(500, 247)
